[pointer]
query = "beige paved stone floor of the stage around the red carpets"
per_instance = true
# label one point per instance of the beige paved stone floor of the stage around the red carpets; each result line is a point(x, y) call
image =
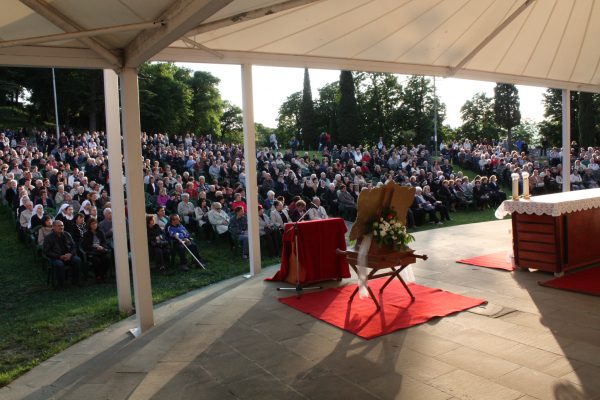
point(234, 340)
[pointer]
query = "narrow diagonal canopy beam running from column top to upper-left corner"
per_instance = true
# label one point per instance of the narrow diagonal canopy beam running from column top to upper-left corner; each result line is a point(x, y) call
point(63, 22)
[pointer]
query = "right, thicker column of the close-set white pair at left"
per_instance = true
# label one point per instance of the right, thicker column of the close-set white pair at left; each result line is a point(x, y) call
point(136, 206)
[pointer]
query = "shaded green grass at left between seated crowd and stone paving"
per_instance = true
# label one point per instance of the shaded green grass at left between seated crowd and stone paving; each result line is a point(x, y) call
point(37, 322)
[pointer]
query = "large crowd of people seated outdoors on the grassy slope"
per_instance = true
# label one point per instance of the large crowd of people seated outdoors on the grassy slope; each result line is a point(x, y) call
point(197, 186)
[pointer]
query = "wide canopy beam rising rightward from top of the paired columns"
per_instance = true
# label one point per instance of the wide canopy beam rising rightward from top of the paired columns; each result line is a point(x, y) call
point(182, 17)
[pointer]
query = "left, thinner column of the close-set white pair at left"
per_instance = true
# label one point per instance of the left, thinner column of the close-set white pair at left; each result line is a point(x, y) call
point(117, 199)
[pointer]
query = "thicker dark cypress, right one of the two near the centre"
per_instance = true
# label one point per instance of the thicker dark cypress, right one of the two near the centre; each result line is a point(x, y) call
point(348, 119)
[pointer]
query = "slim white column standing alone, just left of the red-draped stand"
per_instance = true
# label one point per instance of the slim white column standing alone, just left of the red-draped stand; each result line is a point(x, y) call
point(250, 167)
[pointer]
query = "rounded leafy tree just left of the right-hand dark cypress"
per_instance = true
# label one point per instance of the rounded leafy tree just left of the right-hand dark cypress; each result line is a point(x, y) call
point(477, 115)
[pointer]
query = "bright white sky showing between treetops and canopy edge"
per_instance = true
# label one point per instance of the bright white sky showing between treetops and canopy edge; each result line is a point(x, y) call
point(272, 85)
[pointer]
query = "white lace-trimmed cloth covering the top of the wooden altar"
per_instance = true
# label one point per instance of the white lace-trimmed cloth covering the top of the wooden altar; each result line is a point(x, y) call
point(552, 204)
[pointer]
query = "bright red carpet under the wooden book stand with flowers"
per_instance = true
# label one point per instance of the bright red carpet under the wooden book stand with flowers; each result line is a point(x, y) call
point(361, 316)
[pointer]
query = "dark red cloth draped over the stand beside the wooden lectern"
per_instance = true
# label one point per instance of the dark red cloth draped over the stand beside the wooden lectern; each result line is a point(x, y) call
point(317, 244)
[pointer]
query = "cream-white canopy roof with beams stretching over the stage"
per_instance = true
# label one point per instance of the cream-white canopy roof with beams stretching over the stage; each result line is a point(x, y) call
point(539, 42)
